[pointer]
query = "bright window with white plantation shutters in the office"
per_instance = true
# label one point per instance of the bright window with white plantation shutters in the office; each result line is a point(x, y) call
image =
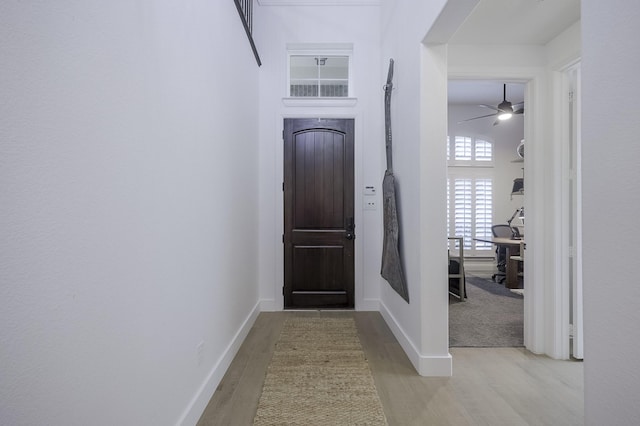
point(470, 192)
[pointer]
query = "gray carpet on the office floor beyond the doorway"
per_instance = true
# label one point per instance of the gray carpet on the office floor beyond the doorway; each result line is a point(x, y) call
point(491, 316)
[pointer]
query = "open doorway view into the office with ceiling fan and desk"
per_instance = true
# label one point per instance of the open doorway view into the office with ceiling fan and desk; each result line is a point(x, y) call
point(485, 195)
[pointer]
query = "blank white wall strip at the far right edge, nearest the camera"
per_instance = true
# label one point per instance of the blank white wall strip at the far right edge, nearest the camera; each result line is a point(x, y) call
point(611, 58)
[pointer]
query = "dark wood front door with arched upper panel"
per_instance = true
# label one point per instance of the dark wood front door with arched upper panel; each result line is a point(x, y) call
point(318, 213)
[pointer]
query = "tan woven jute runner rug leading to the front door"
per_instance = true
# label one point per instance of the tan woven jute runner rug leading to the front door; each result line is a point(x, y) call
point(319, 376)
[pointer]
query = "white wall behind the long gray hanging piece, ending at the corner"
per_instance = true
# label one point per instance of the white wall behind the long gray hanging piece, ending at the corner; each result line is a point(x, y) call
point(420, 169)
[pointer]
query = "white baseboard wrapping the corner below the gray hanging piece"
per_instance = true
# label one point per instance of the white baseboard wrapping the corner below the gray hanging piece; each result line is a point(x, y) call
point(434, 366)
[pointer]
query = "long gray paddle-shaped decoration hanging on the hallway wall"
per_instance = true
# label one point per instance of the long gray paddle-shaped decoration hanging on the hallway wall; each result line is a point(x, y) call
point(391, 263)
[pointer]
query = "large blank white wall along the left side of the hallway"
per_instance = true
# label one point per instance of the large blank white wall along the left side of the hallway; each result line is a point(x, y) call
point(128, 200)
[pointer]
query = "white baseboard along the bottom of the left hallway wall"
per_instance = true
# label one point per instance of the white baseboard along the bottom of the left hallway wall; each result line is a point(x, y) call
point(199, 402)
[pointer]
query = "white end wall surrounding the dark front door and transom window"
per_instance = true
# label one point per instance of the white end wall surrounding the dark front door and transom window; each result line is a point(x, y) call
point(277, 27)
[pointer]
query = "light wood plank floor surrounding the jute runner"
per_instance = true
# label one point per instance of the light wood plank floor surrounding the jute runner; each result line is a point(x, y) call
point(490, 386)
